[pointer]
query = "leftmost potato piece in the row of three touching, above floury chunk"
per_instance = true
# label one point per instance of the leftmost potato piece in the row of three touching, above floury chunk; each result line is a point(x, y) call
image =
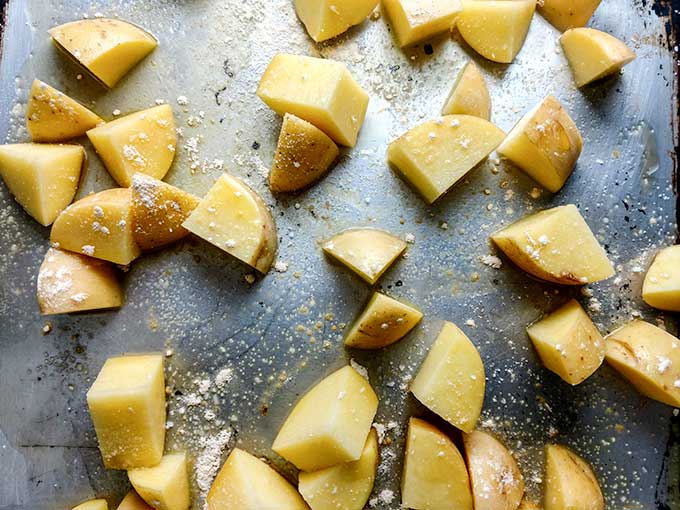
point(99, 225)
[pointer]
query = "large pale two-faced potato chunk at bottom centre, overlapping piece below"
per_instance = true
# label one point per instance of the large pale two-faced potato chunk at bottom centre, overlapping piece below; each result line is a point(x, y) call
point(330, 424)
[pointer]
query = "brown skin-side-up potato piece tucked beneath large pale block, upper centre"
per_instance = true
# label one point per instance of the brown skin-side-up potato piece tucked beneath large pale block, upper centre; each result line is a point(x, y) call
point(303, 155)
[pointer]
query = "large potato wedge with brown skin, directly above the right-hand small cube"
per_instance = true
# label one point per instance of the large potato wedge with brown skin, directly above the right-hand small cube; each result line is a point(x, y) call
point(555, 245)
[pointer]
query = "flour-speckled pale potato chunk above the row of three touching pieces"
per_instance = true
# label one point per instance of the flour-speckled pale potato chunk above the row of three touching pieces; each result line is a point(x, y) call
point(142, 142)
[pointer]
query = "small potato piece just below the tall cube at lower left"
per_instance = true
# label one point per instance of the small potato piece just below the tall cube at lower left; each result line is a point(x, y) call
point(165, 486)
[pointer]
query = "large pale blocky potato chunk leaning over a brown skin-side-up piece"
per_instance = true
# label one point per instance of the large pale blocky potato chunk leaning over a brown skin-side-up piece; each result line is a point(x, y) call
point(320, 91)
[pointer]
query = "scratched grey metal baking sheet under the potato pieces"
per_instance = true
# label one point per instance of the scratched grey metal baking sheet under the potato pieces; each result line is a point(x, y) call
point(242, 353)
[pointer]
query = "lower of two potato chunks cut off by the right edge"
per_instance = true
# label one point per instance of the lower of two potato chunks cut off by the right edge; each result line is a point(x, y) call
point(649, 358)
